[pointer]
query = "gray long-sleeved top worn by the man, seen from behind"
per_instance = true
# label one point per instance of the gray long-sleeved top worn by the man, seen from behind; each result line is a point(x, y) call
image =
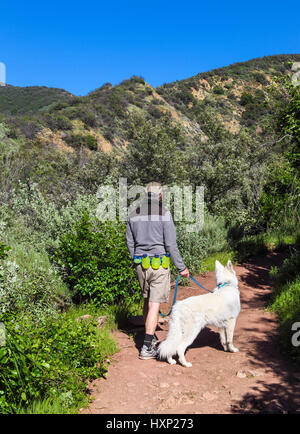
point(150, 230)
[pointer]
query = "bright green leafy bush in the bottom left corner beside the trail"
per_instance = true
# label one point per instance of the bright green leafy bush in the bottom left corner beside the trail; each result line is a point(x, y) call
point(53, 359)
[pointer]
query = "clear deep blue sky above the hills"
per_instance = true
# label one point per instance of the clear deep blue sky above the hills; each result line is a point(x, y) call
point(78, 46)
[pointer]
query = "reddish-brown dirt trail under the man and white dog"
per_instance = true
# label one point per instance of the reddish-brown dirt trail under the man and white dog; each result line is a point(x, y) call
point(256, 379)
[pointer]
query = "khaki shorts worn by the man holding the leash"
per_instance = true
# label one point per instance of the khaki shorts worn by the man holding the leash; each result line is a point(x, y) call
point(155, 284)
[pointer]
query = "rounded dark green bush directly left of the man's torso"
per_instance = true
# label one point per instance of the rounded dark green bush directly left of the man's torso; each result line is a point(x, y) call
point(96, 264)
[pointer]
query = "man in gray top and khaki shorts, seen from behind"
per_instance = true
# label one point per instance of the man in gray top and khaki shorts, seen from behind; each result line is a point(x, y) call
point(151, 231)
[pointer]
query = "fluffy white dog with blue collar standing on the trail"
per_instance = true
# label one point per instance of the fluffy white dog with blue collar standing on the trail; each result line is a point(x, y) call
point(188, 317)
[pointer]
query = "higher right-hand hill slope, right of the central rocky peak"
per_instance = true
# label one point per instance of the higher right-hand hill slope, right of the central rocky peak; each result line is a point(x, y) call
point(235, 96)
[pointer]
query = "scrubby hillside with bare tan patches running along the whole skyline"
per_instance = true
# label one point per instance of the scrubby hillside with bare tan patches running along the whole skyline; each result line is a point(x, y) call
point(209, 106)
